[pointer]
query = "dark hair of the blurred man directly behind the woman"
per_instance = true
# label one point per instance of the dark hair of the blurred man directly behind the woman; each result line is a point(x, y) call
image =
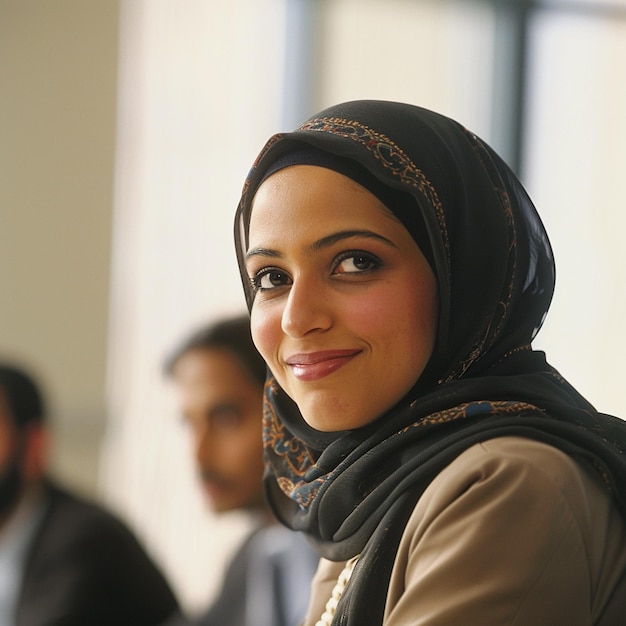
point(233, 335)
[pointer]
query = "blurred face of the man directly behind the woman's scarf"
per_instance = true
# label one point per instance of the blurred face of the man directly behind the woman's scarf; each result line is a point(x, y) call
point(222, 406)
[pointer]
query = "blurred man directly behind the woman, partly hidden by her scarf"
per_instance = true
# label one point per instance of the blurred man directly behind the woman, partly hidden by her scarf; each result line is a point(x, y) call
point(218, 377)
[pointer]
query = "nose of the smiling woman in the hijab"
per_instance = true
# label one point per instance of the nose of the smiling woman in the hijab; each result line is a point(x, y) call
point(307, 309)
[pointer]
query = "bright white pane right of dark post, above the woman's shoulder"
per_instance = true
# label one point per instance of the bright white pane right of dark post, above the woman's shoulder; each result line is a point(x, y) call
point(576, 161)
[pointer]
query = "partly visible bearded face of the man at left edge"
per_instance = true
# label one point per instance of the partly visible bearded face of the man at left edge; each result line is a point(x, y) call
point(11, 479)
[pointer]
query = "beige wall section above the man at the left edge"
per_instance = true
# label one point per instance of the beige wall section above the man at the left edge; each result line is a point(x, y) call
point(57, 127)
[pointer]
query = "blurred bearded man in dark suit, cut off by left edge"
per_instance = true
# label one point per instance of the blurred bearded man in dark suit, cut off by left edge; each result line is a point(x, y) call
point(63, 560)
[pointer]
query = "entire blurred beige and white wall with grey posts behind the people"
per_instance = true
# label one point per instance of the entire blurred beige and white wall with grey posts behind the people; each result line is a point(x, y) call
point(126, 131)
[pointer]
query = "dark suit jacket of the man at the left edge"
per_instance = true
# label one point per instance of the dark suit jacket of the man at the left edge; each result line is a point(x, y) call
point(85, 568)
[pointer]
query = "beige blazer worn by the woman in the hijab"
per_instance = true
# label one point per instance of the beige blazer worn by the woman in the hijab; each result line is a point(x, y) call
point(512, 532)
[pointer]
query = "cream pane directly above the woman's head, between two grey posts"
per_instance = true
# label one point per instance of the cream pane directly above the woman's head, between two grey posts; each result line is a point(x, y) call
point(433, 53)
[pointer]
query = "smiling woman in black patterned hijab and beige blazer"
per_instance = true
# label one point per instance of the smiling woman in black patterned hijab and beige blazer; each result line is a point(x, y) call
point(397, 273)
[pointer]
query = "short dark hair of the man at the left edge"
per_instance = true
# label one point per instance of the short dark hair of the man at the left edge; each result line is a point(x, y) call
point(23, 396)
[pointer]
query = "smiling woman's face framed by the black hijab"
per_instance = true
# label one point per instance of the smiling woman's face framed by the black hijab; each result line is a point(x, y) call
point(346, 304)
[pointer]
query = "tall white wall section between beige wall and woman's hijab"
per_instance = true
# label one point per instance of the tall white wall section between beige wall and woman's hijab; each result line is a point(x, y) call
point(200, 91)
